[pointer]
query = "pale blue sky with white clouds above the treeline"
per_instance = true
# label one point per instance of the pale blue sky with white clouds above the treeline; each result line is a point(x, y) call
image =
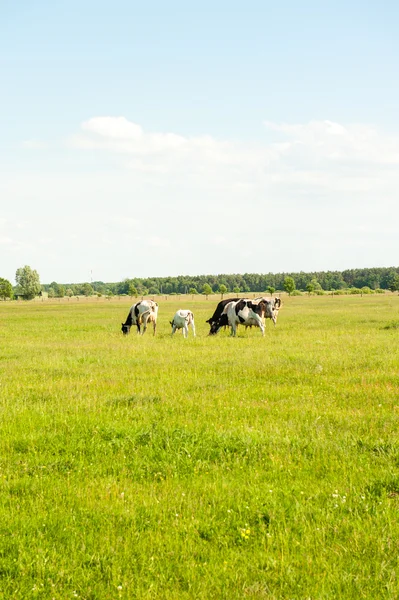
point(159, 138)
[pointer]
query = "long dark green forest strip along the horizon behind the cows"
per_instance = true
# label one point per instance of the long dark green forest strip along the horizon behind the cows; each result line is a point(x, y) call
point(369, 279)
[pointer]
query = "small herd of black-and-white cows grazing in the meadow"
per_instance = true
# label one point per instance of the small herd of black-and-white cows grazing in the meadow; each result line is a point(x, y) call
point(228, 313)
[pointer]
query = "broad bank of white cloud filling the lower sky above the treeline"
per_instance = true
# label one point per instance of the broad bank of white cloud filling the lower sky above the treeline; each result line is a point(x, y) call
point(304, 196)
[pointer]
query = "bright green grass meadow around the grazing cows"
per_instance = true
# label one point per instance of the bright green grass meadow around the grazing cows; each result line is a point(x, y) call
point(207, 468)
